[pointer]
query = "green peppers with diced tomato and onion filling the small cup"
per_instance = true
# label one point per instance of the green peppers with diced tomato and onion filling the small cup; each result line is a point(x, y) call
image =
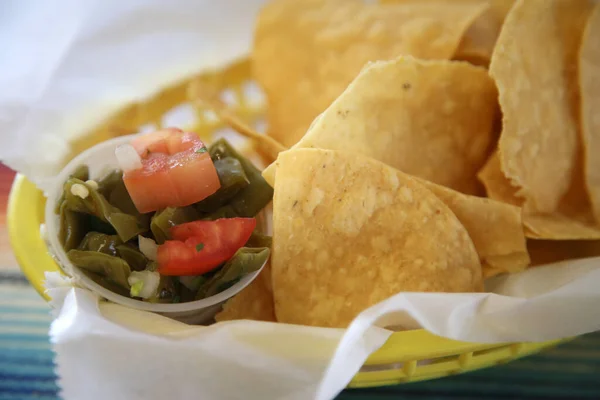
point(175, 223)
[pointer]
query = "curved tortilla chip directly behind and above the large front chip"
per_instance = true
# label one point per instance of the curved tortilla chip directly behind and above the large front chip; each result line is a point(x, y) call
point(431, 119)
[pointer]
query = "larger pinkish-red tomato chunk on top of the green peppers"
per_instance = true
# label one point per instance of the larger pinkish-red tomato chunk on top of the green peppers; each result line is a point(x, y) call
point(176, 171)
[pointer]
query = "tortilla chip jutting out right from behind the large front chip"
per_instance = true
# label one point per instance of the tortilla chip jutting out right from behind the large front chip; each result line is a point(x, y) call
point(495, 228)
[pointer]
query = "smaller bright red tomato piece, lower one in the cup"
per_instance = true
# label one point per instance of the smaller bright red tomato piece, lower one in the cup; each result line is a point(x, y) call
point(201, 246)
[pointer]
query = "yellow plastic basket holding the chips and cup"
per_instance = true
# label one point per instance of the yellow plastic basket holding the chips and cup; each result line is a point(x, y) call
point(406, 357)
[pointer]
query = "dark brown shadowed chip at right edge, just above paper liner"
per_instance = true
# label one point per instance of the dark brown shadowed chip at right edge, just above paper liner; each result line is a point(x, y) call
point(550, 251)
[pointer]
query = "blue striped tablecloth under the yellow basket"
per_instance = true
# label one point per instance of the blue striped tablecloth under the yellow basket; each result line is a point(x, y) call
point(571, 370)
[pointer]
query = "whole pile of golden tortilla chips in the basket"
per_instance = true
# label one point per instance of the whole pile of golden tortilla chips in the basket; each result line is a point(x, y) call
point(429, 145)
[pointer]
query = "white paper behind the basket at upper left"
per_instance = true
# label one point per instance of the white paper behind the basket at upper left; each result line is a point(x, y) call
point(67, 66)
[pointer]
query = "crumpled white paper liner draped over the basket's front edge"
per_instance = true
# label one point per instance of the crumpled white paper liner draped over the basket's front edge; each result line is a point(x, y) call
point(128, 354)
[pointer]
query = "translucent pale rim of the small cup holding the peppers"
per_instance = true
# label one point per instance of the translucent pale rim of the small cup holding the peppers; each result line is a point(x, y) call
point(59, 254)
